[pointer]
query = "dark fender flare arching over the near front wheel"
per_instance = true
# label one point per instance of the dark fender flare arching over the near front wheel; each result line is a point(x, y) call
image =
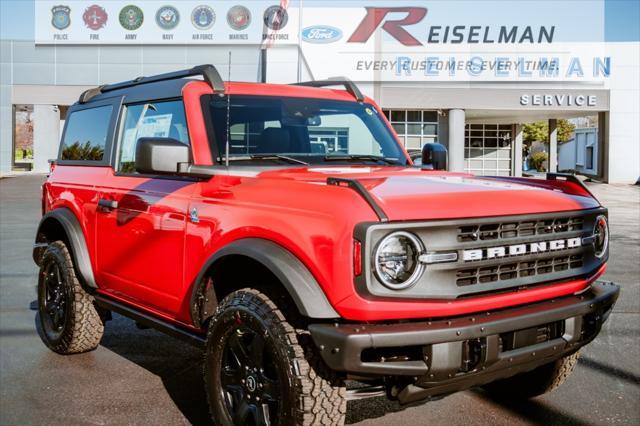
point(287, 268)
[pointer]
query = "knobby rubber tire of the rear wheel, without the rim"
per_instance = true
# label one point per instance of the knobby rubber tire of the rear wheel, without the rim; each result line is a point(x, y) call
point(83, 327)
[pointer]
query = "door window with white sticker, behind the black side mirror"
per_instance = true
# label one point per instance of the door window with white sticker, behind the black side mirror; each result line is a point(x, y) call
point(158, 119)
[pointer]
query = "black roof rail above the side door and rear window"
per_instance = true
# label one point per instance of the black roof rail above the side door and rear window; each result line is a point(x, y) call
point(208, 72)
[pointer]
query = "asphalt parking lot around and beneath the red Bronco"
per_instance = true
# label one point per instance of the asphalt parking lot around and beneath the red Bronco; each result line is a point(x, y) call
point(143, 377)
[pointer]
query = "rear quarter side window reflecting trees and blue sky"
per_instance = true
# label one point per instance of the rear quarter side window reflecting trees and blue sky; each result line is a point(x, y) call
point(86, 134)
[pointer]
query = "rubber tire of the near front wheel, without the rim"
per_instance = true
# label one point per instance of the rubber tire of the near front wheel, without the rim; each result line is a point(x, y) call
point(312, 395)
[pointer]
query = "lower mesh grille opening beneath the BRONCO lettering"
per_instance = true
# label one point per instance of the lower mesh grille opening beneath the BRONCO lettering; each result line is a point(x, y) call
point(510, 271)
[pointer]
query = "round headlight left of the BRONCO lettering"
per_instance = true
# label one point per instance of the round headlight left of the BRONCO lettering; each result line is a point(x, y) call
point(396, 260)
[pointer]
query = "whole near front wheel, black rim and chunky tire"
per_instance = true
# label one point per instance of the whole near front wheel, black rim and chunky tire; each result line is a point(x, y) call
point(261, 370)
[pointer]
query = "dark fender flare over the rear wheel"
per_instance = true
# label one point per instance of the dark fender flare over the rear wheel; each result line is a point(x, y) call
point(75, 238)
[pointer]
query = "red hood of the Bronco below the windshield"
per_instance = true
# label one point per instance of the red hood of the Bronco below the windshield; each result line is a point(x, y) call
point(413, 194)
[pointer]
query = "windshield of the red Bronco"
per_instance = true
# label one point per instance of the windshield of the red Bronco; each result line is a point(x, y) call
point(302, 131)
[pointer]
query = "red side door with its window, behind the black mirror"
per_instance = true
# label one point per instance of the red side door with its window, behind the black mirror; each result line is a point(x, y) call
point(141, 220)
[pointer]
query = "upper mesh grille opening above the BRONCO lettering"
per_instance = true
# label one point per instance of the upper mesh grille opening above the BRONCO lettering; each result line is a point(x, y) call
point(528, 228)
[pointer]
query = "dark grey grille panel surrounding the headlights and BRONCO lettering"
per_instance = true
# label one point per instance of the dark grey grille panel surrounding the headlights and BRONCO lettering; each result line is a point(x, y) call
point(473, 278)
